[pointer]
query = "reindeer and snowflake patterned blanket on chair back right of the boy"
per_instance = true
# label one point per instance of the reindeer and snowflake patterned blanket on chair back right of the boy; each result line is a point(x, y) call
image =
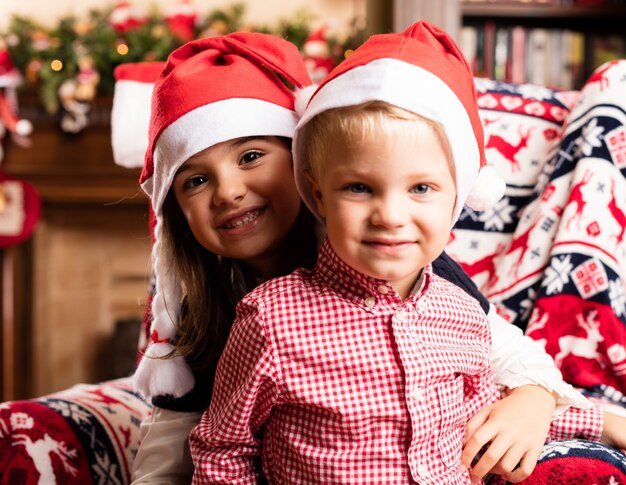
point(552, 253)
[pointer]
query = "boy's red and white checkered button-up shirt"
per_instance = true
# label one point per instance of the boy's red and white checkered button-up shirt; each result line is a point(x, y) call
point(330, 377)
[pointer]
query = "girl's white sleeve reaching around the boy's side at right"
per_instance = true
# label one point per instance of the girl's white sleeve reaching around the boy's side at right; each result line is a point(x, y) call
point(519, 360)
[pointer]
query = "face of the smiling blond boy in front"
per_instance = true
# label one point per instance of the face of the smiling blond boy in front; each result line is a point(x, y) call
point(387, 202)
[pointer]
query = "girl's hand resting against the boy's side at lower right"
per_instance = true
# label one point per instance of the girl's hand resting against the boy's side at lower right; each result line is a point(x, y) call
point(514, 430)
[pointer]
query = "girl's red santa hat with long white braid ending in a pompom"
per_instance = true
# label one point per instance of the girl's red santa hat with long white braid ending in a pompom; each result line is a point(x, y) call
point(210, 91)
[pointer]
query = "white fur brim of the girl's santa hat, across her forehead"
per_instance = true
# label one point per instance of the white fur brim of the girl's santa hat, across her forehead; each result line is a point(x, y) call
point(208, 125)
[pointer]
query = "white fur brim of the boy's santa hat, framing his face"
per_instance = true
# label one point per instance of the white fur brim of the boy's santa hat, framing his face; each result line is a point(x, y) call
point(407, 86)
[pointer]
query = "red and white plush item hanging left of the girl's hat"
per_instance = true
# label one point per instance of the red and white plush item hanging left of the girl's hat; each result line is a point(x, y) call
point(130, 114)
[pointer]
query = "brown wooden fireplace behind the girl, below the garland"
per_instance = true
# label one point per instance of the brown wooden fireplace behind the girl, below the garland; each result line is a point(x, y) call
point(85, 267)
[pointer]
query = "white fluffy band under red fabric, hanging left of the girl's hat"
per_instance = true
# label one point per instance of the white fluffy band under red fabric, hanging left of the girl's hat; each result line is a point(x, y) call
point(130, 118)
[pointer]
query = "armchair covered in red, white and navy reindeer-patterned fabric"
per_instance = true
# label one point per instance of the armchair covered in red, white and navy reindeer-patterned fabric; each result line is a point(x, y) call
point(551, 256)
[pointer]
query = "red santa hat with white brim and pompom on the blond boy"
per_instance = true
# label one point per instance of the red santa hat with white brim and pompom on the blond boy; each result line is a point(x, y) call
point(423, 71)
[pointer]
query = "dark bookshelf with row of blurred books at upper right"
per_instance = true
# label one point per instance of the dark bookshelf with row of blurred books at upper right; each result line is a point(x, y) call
point(552, 43)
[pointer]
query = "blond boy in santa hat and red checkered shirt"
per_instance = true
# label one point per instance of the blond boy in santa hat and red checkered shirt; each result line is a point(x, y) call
point(367, 368)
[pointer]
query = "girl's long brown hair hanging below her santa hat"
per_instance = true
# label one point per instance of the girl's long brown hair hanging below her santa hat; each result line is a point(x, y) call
point(213, 285)
